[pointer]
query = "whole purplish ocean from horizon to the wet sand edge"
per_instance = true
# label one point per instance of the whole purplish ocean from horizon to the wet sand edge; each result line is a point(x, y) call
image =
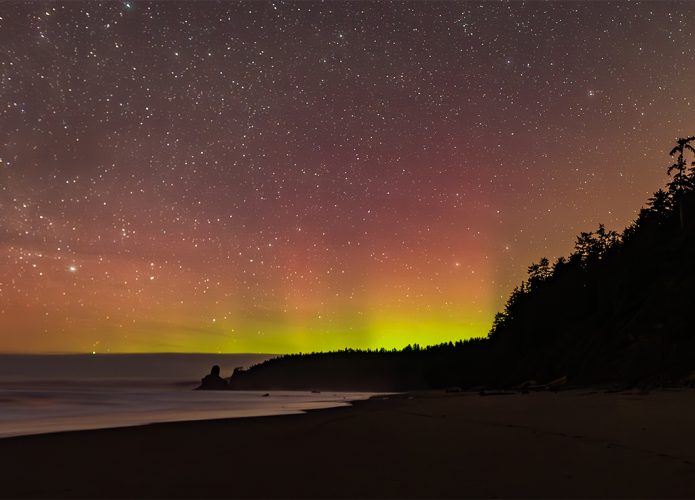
point(52, 393)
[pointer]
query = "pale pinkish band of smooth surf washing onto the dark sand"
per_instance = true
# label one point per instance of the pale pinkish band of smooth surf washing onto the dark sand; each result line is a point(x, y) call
point(34, 410)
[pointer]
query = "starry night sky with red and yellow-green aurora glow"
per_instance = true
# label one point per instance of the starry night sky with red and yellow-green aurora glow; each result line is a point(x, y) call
point(298, 176)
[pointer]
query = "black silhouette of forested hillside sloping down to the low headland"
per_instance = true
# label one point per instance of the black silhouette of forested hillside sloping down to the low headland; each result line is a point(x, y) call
point(617, 310)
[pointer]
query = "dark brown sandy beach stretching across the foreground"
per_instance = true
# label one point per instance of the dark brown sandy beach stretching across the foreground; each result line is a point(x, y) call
point(567, 444)
